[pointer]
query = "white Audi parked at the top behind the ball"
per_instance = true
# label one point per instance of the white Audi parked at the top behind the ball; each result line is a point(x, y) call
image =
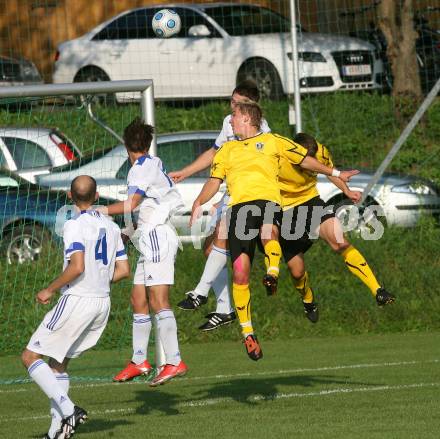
point(219, 45)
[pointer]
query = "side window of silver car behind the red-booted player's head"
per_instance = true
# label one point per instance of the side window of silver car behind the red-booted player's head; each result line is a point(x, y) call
point(176, 155)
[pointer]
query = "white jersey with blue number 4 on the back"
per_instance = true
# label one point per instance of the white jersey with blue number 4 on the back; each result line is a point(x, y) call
point(100, 240)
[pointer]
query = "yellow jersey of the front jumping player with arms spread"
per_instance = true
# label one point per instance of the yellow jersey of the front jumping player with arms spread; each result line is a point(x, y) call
point(251, 166)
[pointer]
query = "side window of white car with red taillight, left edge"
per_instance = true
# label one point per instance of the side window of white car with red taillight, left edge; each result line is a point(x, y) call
point(26, 154)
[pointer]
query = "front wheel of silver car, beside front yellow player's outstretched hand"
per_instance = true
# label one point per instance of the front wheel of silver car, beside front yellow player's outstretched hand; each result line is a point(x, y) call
point(360, 219)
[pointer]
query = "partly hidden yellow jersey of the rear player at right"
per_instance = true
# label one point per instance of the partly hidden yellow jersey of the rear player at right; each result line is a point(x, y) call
point(298, 185)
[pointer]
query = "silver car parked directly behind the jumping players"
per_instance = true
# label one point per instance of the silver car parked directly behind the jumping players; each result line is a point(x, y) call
point(403, 199)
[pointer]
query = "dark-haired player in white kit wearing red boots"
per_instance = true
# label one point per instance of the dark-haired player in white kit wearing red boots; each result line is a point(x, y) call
point(154, 195)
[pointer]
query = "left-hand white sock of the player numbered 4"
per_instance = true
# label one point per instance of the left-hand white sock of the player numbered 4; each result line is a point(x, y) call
point(42, 374)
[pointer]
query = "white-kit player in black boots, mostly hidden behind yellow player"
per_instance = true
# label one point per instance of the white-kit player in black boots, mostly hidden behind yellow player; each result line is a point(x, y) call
point(215, 274)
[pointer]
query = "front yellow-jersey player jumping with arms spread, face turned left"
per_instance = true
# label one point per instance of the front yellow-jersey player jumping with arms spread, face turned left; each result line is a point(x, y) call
point(250, 166)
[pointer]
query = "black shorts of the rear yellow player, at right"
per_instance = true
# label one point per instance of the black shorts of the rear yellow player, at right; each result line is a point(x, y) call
point(299, 224)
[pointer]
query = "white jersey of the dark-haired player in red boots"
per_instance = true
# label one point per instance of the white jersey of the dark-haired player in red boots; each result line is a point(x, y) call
point(161, 198)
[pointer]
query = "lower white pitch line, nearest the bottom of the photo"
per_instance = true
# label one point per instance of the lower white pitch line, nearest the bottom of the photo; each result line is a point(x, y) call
point(254, 398)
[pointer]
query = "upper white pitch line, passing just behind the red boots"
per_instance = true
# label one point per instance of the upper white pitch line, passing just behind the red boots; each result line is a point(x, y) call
point(108, 381)
